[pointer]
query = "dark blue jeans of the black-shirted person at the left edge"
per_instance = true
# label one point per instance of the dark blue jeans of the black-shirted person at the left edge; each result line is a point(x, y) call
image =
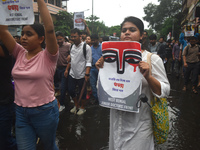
point(7, 142)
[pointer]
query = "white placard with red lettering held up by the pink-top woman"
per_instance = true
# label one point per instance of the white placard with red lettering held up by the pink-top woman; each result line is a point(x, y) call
point(16, 12)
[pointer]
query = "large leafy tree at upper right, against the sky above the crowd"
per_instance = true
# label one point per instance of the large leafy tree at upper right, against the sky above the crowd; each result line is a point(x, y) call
point(163, 17)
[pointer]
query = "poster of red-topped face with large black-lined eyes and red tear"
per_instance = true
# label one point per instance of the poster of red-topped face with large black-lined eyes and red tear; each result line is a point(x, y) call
point(120, 80)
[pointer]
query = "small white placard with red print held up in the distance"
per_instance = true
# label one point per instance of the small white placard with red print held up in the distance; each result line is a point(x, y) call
point(78, 20)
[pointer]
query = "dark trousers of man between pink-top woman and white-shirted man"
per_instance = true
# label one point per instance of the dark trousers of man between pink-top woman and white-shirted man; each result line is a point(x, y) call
point(60, 78)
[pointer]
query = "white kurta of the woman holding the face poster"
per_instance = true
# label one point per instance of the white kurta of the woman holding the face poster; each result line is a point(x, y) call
point(133, 131)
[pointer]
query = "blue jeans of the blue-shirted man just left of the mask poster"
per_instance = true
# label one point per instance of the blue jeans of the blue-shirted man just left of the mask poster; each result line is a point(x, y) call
point(93, 81)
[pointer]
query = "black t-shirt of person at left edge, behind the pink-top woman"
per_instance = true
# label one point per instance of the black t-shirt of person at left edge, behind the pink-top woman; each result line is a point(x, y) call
point(6, 86)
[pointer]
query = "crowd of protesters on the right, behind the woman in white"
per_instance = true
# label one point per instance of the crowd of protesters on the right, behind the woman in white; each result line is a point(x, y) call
point(180, 57)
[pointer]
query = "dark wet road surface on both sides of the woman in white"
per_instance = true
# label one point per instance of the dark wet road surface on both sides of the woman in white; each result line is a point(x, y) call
point(90, 131)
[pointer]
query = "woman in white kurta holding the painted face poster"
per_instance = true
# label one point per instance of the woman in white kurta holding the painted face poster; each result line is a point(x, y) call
point(133, 130)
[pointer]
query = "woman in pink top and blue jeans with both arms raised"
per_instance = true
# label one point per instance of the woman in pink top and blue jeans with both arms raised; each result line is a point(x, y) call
point(37, 112)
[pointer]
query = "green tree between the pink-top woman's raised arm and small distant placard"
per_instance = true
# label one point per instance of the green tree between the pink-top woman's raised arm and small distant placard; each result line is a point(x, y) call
point(64, 22)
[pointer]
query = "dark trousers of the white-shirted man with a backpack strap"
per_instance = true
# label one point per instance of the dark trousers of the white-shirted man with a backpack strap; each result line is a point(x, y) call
point(72, 83)
